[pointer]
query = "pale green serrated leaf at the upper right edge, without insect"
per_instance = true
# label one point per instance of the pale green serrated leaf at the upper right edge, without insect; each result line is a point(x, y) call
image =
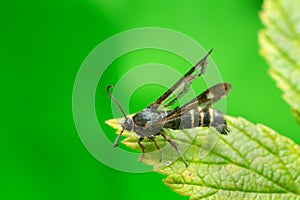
point(280, 46)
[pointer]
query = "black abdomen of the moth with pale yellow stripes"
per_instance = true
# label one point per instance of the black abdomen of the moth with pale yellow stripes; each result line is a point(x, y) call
point(199, 117)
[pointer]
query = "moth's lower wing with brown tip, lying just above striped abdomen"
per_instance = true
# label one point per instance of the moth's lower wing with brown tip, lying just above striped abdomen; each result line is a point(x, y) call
point(206, 99)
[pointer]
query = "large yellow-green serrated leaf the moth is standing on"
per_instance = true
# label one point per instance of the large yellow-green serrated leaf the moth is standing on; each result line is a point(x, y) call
point(252, 162)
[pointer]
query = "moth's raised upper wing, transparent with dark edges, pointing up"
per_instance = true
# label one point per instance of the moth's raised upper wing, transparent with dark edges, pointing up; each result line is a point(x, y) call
point(182, 85)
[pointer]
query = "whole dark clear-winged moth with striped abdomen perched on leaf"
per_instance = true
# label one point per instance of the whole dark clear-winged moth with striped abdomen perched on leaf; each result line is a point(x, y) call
point(151, 121)
